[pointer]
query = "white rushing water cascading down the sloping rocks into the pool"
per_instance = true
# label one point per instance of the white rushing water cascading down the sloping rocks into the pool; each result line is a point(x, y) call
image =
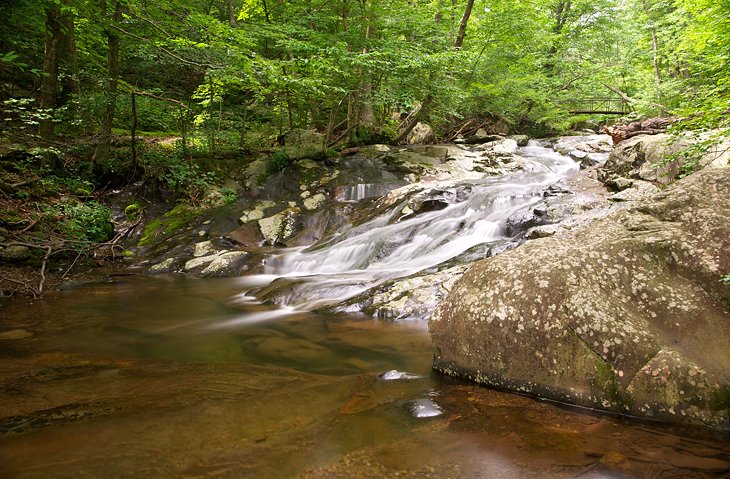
point(397, 244)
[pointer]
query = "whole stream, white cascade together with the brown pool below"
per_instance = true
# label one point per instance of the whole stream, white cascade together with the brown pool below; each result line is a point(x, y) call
point(173, 376)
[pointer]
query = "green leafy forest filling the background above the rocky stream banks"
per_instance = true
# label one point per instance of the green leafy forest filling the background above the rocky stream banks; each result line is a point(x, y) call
point(237, 73)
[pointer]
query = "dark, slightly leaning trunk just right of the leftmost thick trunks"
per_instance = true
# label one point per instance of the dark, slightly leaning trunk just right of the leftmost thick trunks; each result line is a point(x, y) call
point(105, 132)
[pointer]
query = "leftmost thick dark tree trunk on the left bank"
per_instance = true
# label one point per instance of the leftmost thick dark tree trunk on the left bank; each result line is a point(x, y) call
point(49, 81)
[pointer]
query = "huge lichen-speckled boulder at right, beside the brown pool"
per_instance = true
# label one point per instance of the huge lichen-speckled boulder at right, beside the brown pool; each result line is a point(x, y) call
point(626, 314)
